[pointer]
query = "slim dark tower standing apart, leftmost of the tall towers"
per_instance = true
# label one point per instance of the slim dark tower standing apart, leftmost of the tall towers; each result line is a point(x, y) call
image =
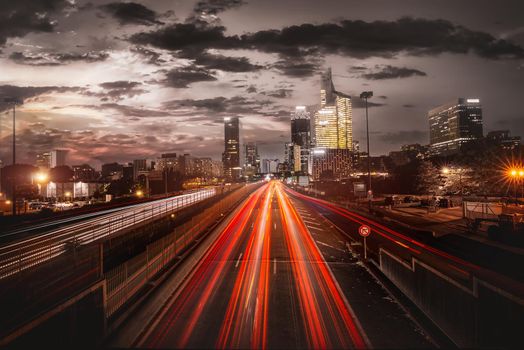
point(231, 155)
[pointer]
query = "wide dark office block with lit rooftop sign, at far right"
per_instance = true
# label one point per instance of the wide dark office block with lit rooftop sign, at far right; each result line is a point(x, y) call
point(453, 124)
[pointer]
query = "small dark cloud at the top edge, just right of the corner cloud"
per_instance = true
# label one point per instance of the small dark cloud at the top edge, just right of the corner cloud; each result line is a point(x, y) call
point(131, 13)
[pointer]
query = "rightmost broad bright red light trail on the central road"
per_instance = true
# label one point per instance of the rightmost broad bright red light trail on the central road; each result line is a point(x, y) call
point(317, 288)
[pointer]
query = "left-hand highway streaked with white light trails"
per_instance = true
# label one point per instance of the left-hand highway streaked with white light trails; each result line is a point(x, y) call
point(25, 253)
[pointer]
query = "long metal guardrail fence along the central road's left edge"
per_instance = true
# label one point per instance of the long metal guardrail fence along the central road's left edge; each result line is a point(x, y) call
point(124, 281)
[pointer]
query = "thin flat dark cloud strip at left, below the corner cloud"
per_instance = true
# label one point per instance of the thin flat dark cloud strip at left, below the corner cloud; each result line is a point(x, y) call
point(56, 59)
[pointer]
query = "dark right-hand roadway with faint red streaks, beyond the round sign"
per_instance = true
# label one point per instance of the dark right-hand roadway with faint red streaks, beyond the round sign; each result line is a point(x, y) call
point(460, 261)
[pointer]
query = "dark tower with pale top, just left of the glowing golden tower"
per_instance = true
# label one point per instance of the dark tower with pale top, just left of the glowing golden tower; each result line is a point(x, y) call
point(301, 140)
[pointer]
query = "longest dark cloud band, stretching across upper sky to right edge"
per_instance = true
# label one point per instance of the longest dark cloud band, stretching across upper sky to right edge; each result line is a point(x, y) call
point(353, 38)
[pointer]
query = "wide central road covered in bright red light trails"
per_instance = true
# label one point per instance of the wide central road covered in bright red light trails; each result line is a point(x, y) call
point(268, 282)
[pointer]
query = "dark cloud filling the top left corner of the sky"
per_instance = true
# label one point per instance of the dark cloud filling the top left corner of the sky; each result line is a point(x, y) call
point(20, 17)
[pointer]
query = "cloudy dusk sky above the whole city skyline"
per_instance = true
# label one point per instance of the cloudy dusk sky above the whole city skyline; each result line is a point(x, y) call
point(123, 80)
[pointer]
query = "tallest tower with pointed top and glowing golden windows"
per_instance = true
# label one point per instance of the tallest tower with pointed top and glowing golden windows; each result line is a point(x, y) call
point(333, 121)
